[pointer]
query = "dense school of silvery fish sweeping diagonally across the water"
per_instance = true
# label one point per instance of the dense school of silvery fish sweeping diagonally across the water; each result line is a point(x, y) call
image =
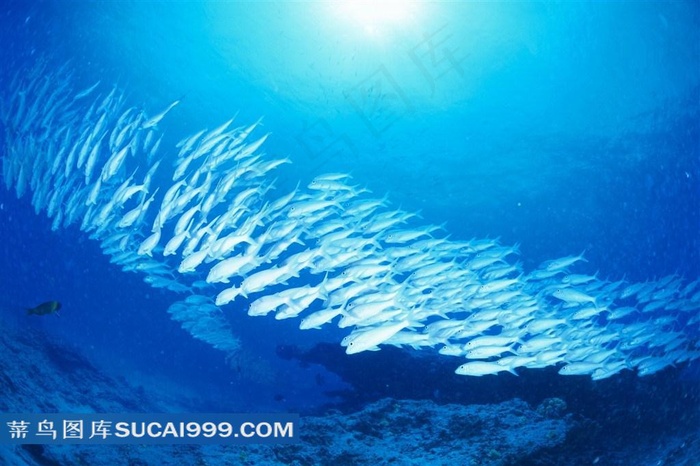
point(203, 219)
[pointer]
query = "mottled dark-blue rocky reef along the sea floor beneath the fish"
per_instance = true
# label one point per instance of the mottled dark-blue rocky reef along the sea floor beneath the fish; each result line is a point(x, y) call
point(40, 375)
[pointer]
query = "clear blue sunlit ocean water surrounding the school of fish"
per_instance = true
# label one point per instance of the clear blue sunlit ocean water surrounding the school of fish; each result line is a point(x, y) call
point(563, 128)
